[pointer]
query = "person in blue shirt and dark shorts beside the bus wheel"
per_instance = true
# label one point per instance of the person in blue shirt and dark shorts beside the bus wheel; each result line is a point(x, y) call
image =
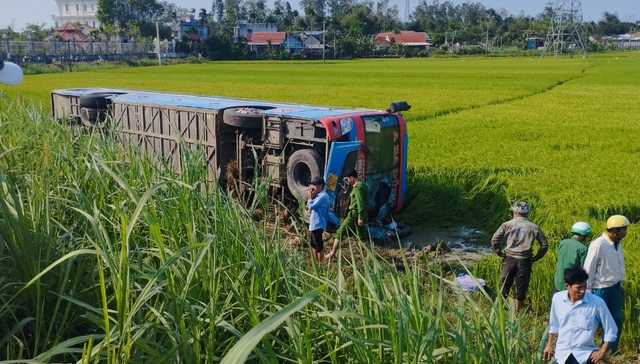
point(318, 205)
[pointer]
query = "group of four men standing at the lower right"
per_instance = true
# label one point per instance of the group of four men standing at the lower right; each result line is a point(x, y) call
point(587, 283)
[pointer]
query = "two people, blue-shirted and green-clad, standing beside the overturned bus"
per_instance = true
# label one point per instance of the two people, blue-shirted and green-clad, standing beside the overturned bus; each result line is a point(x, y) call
point(318, 204)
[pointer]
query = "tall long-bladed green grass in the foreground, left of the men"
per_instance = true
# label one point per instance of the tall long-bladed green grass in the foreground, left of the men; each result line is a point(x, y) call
point(116, 262)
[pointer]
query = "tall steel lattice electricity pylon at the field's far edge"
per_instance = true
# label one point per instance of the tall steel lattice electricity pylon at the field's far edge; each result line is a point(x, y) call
point(565, 32)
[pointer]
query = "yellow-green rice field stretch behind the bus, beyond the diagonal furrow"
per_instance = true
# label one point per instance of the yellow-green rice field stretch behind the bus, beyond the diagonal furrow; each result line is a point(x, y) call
point(431, 86)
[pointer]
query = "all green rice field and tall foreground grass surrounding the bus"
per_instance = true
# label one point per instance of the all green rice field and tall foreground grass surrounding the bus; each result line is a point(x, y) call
point(107, 260)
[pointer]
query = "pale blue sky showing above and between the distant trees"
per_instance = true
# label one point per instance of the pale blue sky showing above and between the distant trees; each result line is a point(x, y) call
point(19, 13)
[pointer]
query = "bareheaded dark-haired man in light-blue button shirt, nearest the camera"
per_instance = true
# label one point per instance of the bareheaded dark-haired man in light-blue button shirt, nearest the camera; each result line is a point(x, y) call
point(574, 318)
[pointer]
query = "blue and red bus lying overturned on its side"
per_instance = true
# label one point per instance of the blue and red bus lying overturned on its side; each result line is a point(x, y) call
point(286, 143)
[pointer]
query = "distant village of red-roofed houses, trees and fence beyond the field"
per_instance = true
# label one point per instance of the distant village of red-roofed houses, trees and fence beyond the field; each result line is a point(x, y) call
point(286, 34)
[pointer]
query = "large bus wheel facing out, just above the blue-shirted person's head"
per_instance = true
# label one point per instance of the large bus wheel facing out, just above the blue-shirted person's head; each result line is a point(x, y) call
point(303, 165)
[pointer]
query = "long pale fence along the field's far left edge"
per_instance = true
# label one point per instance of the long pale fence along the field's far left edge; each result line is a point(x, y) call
point(76, 51)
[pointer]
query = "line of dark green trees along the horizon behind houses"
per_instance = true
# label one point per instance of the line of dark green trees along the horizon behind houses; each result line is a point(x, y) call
point(352, 23)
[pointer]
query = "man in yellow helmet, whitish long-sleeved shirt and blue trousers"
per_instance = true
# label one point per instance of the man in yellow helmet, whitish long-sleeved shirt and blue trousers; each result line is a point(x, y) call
point(605, 266)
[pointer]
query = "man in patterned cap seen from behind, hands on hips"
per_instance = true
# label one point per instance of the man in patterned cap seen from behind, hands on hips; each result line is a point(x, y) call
point(513, 241)
